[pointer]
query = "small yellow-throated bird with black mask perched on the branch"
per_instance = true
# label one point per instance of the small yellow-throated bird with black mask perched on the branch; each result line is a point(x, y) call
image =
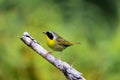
point(56, 42)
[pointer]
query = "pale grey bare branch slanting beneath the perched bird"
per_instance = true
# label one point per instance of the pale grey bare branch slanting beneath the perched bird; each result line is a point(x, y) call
point(67, 70)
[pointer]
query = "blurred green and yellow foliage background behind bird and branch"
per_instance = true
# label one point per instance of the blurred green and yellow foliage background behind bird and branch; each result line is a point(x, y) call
point(93, 23)
